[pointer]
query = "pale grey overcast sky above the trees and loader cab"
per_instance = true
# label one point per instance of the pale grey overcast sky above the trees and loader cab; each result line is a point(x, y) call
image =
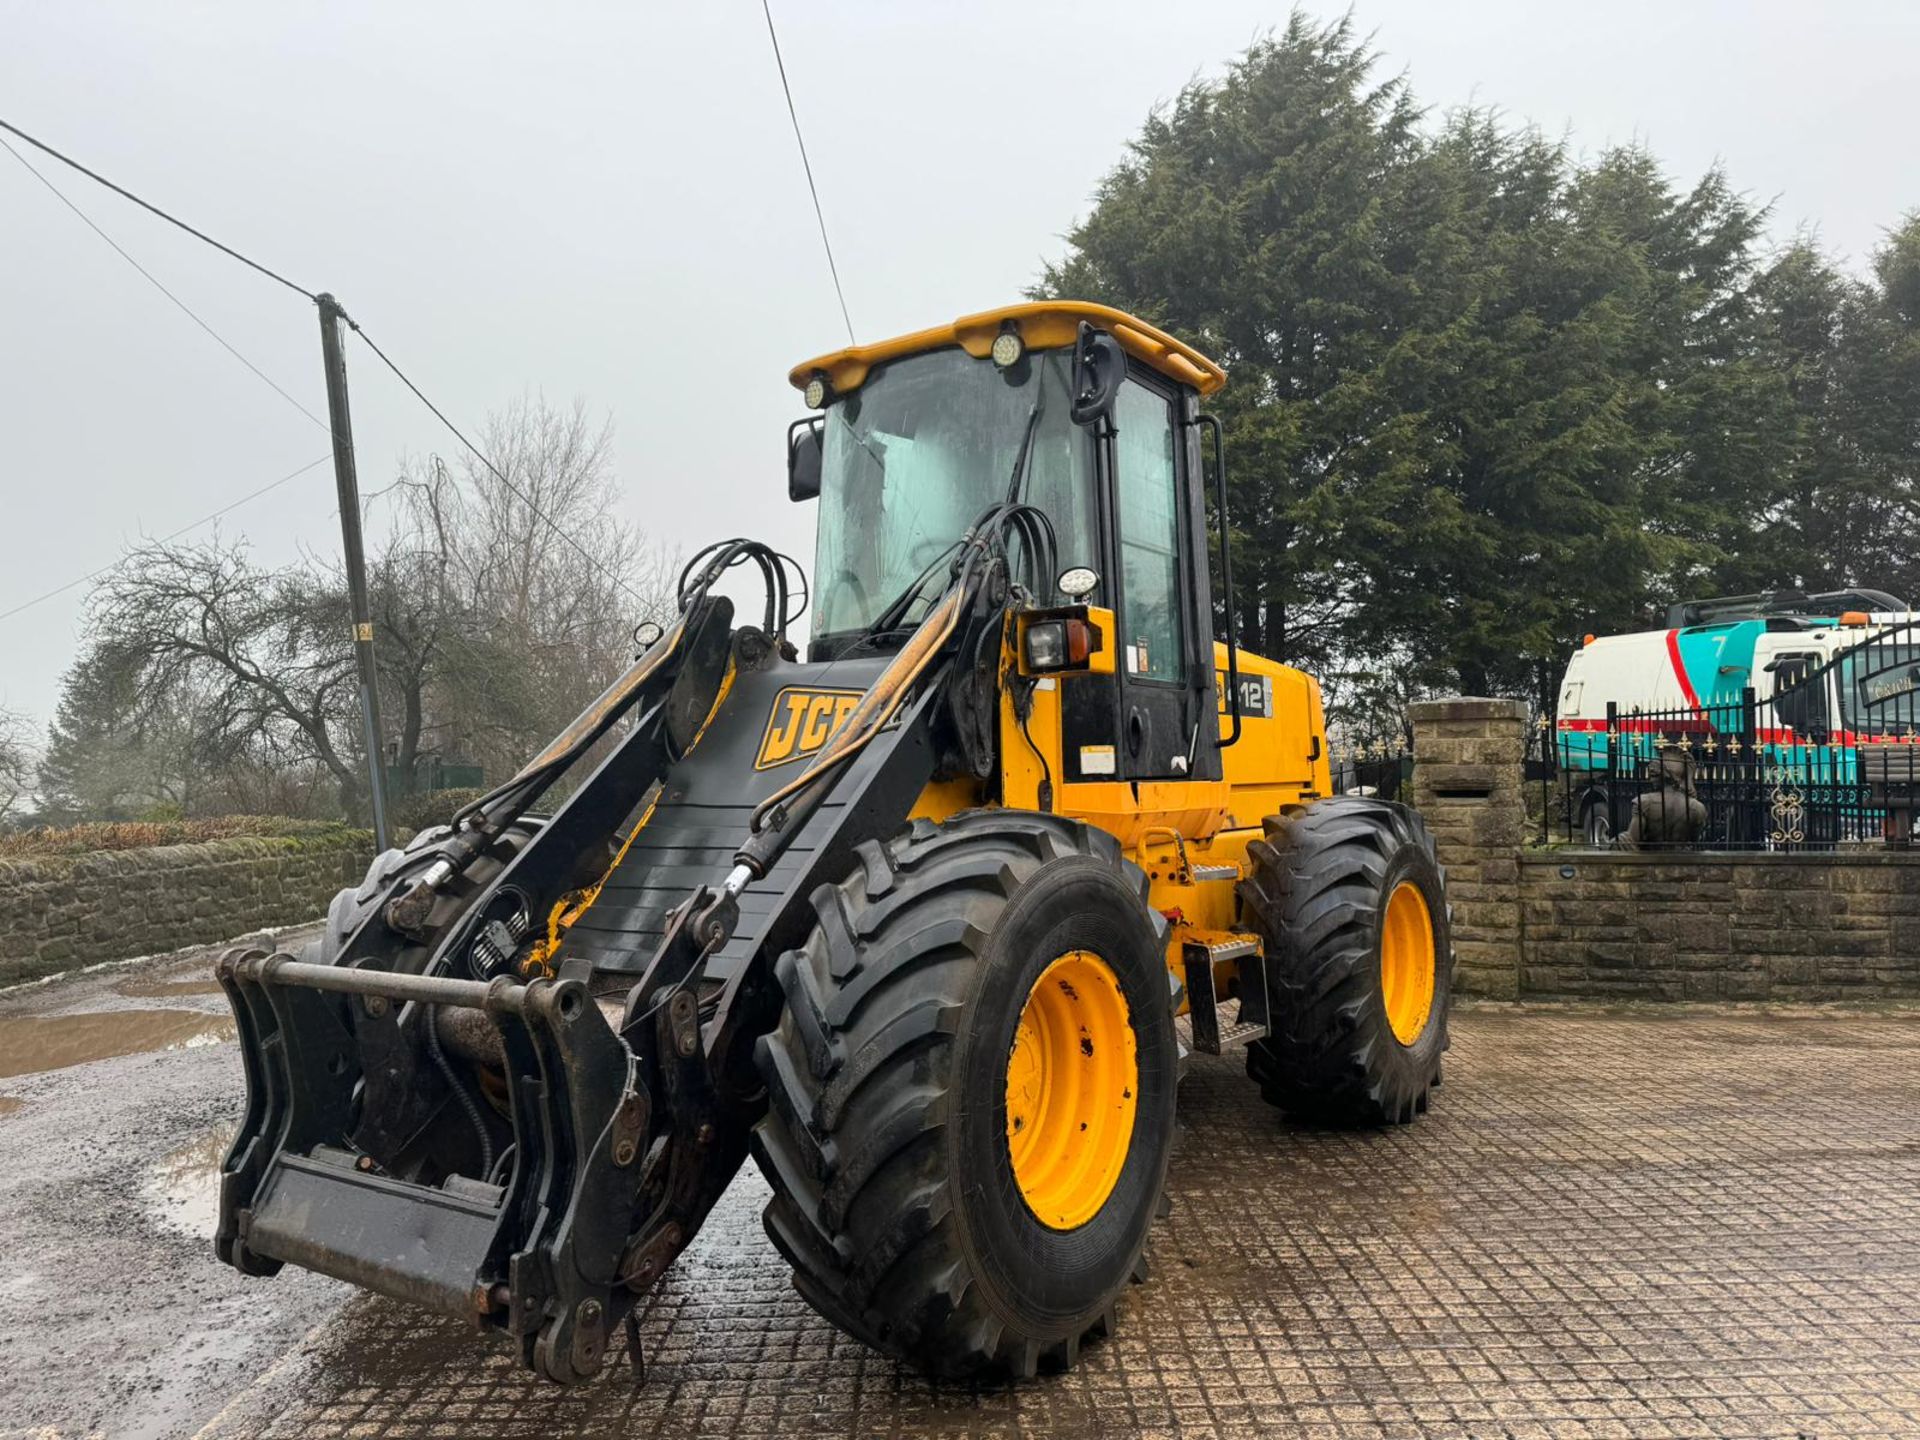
point(604, 203)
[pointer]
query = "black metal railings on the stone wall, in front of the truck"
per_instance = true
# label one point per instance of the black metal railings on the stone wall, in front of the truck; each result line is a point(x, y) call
point(1829, 757)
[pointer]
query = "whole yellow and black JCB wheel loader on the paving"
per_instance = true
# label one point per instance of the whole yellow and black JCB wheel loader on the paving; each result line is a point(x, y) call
point(913, 919)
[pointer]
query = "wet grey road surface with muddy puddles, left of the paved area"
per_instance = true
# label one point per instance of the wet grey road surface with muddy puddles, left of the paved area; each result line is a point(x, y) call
point(120, 1088)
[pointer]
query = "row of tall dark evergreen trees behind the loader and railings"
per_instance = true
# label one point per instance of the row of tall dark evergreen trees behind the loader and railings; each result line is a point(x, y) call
point(1487, 396)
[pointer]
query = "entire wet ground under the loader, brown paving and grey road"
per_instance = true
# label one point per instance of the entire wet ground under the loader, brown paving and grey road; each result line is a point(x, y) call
point(1614, 1224)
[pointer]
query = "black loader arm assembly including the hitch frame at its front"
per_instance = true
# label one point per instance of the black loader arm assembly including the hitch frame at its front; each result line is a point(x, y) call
point(431, 1120)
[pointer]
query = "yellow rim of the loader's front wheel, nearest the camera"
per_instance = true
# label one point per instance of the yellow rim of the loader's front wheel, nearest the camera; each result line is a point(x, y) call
point(1072, 1084)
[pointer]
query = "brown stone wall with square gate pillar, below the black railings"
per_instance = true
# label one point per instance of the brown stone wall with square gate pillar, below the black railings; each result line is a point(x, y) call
point(1639, 926)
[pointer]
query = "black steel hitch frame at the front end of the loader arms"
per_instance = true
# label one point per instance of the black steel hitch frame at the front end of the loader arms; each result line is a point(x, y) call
point(537, 1253)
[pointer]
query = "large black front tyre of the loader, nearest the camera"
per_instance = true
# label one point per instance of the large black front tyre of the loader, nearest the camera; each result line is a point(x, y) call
point(888, 1138)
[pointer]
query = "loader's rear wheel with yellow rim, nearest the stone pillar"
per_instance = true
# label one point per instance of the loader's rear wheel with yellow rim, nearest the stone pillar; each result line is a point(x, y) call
point(1351, 903)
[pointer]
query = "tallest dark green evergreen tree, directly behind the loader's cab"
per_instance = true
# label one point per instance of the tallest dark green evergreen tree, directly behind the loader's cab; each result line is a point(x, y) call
point(1253, 218)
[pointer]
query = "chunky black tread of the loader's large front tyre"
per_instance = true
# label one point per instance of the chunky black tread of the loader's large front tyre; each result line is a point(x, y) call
point(859, 1082)
